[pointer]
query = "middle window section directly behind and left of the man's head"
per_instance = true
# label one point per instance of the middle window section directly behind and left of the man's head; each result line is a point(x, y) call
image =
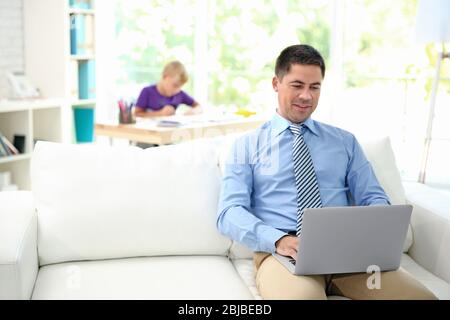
point(246, 38)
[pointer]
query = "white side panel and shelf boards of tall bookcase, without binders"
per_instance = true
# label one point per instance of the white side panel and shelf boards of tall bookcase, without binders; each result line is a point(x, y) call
point(48, 58)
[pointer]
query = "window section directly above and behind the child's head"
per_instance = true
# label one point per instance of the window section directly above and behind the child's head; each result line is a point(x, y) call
point(150, 33)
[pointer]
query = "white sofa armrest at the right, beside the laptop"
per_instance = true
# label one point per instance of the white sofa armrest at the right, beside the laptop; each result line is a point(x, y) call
point(431, 228)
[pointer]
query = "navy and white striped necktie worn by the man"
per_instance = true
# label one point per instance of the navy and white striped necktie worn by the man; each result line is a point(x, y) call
point(308, 195)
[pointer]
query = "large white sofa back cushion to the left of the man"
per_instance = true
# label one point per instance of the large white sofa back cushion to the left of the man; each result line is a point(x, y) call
point(101, 202)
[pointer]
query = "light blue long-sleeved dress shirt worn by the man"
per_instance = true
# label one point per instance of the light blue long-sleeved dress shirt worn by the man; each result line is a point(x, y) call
point(258, 200)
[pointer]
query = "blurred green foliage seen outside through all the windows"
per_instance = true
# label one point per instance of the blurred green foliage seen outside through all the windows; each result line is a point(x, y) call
point(244, 38)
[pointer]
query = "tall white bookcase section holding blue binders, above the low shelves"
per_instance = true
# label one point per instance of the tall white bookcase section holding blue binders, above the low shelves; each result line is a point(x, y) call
point(60, 59)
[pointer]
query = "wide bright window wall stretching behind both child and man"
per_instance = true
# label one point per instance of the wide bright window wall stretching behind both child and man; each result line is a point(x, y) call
point(378, 79)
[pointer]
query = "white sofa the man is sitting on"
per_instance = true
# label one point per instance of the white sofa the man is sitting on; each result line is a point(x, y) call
point(126, 223)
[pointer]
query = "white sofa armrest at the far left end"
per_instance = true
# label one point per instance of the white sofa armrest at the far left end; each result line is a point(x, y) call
point(18, 245)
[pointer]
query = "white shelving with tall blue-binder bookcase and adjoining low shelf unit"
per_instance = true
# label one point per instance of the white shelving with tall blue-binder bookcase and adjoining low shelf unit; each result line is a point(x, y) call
point(53, 67)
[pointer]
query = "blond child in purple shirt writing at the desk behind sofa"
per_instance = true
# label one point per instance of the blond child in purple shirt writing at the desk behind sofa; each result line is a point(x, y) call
point(163, 98)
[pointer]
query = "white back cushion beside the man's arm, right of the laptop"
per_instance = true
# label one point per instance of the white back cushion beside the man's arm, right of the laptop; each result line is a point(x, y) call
point(381, 156)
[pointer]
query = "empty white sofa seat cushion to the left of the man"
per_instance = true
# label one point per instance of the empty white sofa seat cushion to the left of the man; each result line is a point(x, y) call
point(174, 278)
